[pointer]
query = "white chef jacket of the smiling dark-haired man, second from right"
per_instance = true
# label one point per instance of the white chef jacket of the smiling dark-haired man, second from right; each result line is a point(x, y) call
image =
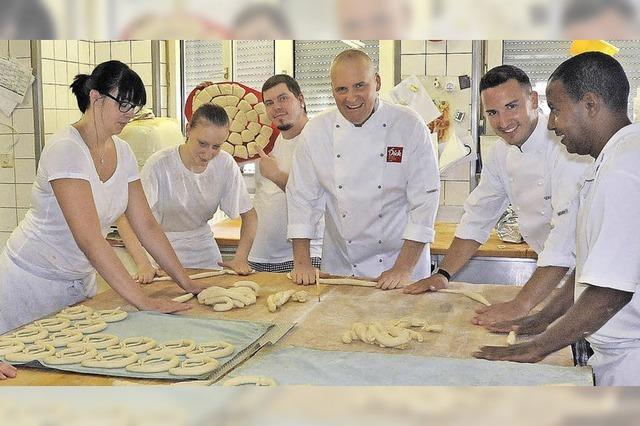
point(541, 181)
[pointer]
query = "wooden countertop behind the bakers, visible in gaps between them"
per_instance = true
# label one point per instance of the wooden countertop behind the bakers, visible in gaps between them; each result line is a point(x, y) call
point(227, 233)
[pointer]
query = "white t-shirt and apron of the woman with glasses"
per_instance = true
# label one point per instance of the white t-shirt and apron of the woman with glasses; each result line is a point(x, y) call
point(42, 269)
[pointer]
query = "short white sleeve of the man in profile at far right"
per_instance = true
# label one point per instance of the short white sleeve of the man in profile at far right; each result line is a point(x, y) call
point(612, 260)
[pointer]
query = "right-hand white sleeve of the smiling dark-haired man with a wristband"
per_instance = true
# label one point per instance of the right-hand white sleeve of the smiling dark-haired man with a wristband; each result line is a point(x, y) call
point(566, 177)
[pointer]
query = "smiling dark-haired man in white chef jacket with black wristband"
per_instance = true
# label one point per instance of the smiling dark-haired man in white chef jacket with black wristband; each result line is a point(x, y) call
point(529, 168)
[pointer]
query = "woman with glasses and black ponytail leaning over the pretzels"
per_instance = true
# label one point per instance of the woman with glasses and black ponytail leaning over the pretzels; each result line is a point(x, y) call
point(87, 178)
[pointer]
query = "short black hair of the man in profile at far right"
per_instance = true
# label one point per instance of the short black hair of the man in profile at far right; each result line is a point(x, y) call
point(597, 73)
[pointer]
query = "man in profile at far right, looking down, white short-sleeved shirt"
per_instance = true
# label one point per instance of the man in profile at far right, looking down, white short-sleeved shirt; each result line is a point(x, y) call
point(588, 96)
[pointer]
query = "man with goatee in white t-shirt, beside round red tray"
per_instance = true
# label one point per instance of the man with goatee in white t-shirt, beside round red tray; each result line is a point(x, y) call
point(271, 251)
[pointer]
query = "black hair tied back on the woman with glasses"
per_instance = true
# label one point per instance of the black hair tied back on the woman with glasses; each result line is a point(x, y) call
point(106, 77)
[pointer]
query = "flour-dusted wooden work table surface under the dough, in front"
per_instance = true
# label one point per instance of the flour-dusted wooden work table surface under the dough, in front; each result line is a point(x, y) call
point(320, 325)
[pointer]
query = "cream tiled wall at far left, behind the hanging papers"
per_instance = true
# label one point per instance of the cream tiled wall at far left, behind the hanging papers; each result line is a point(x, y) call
point(15, 182)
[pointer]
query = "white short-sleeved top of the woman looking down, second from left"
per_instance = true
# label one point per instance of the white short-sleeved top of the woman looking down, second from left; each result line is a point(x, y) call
point(183, 201)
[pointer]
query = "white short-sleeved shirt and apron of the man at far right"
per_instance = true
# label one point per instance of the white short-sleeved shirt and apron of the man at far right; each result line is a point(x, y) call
point(608, 253)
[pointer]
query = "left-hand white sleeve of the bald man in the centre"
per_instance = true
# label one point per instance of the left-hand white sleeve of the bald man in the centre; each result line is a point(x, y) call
point(305, 196)
